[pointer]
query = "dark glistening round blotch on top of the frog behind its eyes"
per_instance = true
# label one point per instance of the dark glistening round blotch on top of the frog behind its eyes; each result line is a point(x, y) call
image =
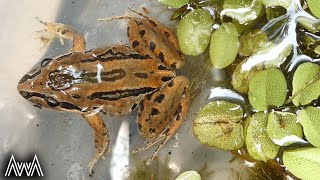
point(61, 80)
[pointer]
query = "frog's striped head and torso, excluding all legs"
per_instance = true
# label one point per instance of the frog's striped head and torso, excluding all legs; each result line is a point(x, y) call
point(113, 78)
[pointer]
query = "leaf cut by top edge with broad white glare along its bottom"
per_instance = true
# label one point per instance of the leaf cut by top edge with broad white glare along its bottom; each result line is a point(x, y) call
point(243, 11)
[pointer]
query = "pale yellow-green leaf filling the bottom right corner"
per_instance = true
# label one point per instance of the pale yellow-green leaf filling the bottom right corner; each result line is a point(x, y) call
point(303, 163)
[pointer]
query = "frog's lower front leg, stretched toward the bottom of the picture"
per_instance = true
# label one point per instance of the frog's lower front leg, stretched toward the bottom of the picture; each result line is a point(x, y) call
point(101, 137)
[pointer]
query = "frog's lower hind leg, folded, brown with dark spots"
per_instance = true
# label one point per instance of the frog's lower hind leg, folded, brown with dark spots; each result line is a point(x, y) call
point(161, 115)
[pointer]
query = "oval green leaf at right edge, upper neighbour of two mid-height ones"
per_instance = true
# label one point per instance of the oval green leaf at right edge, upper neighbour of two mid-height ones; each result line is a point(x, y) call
point(306, 83)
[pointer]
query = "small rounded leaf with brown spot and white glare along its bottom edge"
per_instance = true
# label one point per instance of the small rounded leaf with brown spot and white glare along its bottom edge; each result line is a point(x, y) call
point(283, 128)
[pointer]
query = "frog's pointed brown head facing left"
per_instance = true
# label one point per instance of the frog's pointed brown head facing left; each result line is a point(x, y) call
point(45, 85)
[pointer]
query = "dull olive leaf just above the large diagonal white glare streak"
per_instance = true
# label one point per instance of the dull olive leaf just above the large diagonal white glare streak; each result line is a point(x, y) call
point(252, 42)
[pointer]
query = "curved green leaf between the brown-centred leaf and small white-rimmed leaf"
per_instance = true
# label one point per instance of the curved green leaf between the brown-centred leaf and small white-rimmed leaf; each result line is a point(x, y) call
point(258, 143)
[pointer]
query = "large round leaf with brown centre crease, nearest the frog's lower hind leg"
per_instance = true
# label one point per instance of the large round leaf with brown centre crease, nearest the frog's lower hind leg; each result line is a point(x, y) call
point(218, 125)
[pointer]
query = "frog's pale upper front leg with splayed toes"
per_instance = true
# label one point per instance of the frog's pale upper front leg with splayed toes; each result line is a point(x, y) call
point(62, 31)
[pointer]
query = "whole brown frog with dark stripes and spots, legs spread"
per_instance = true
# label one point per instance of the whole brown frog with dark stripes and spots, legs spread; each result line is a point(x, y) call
point(115, 79)
